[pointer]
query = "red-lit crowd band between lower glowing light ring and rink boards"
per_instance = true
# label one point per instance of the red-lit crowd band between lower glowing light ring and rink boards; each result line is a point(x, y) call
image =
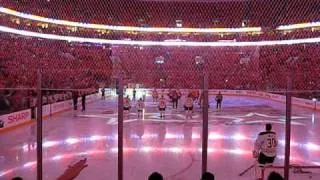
point(66, 65)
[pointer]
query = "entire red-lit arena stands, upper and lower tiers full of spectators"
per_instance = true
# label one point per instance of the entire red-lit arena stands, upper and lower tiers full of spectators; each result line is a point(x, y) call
point(68, 65)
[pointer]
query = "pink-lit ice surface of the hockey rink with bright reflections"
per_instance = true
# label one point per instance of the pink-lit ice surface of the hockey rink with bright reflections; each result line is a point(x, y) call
point(171, 146)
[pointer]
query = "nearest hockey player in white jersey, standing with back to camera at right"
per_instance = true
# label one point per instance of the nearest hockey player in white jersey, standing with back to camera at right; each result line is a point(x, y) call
point(265, 147)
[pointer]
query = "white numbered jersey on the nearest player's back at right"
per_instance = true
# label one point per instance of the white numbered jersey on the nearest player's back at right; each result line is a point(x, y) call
point(267, 143)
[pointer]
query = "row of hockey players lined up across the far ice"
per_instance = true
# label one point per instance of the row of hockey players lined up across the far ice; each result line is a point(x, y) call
point(174, 96)
